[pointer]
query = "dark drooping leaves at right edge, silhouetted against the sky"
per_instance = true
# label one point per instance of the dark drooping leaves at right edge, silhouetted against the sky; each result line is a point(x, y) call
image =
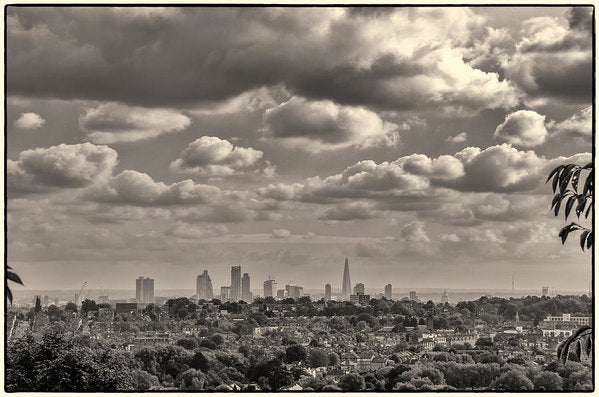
point(565, 185)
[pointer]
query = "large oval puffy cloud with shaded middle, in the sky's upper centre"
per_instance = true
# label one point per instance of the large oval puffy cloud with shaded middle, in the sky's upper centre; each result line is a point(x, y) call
point(323, 125)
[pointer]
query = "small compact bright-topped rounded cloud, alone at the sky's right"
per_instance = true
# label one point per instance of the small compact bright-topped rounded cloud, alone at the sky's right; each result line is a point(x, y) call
point(523, 128)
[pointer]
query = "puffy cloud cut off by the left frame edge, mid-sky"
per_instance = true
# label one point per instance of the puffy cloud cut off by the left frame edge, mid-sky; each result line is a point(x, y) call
point(62, 166)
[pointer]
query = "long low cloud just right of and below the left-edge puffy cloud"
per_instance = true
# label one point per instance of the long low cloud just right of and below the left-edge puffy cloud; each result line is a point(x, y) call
point(136, 188)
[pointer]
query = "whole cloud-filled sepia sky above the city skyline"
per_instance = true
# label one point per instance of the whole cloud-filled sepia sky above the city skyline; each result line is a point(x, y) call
point(415, 141)
